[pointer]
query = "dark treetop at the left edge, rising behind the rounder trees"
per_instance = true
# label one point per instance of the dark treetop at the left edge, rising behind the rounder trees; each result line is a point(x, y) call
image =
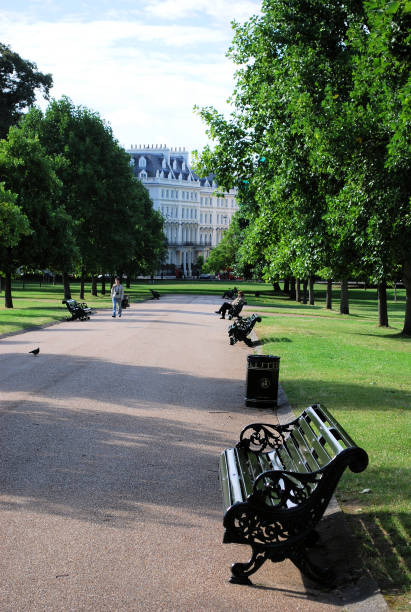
point(19, 82)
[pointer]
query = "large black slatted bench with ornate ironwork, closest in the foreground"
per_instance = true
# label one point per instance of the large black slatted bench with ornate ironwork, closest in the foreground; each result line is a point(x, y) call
point(277, 483)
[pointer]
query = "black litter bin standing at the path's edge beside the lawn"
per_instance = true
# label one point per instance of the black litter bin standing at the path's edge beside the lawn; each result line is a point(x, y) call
point(262, 380)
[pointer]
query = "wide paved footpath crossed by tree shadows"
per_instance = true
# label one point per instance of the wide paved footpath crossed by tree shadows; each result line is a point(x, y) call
point(109, 440)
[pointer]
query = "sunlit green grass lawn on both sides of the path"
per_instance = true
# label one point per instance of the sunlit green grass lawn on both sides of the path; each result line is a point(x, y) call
point(362, 373)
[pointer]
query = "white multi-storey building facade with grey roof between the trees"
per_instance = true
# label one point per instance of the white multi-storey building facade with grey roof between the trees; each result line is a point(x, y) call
point(195, 219)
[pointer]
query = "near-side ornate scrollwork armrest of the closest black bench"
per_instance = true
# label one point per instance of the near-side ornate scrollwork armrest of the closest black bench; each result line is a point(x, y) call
point(280, 489)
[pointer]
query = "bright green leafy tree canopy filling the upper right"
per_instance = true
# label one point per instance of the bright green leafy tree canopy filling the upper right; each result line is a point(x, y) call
point(318, 145)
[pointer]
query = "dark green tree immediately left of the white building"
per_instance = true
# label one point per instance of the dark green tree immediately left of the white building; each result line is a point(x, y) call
point(115, 227)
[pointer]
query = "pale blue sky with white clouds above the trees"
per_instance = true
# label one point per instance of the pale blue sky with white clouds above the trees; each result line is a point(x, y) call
point(141, 64)
